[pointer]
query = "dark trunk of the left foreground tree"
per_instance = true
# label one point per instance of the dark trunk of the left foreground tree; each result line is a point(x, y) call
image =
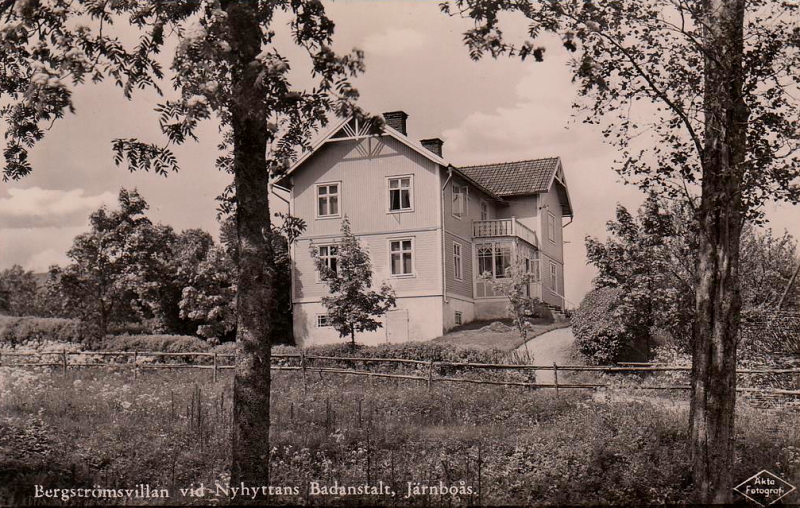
point(255, 299)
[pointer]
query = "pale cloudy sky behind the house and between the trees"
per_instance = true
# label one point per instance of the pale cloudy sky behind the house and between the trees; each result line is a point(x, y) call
point(485, 111)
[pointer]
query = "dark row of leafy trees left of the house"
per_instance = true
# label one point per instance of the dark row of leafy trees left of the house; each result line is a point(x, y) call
point(130, 274)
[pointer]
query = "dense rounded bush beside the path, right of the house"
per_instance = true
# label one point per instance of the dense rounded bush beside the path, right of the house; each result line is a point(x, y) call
point(600, 332)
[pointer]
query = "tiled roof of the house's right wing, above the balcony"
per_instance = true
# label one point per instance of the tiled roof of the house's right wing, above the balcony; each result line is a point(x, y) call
point(515, 178)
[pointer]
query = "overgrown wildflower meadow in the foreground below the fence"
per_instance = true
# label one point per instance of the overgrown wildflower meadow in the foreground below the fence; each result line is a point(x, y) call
point(170, 430)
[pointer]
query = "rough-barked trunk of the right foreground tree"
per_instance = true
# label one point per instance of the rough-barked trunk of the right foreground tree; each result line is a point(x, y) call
point(718, 299)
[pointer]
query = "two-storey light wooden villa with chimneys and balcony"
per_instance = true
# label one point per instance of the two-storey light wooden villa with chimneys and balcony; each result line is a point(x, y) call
point(431, 228)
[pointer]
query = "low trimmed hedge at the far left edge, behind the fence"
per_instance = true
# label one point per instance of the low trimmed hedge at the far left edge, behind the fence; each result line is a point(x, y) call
point(29, 331)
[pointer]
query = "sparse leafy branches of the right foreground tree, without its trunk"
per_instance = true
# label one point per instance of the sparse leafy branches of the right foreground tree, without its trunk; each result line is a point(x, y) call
point(640, 69)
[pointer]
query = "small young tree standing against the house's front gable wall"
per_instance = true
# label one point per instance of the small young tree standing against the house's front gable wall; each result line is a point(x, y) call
point(352, 305)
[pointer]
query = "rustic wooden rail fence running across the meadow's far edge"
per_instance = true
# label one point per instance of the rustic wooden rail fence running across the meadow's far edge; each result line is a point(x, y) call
point(427, 367)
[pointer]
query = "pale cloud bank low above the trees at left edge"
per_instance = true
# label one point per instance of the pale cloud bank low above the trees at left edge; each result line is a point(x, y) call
point(35, 207)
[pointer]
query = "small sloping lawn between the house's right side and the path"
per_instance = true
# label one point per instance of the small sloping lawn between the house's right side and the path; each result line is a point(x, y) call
point(479, 334)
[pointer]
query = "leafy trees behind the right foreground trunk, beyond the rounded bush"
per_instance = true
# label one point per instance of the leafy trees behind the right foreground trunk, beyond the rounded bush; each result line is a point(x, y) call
point(651, 259)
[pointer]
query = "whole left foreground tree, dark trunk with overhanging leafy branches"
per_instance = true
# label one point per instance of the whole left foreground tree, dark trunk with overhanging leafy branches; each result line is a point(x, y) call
point(225, 65)
